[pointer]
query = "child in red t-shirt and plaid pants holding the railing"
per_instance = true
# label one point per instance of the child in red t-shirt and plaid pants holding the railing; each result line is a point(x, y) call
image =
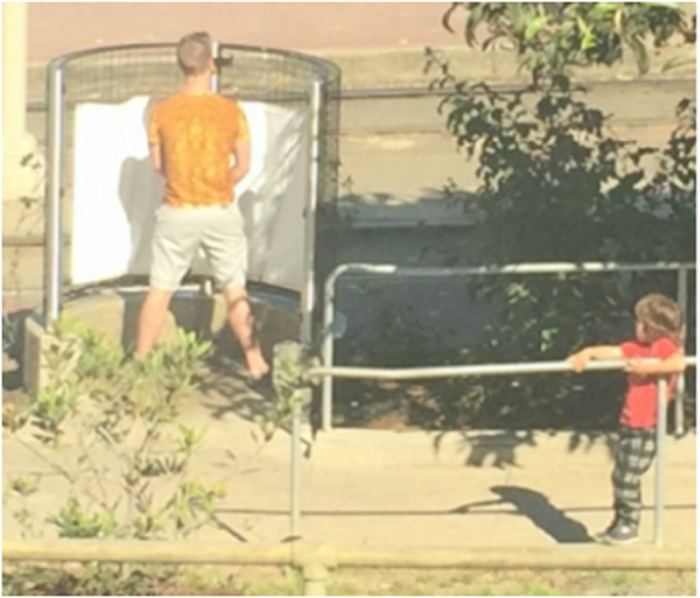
point(659, 324)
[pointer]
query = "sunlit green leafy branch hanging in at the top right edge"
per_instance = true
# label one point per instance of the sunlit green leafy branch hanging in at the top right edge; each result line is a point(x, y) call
point(551, 37)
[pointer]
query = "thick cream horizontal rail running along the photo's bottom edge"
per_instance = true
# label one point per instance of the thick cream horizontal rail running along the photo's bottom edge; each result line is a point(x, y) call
point(556, 557)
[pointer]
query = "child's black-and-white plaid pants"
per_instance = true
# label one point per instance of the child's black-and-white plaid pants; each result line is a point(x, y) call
point(635, 453)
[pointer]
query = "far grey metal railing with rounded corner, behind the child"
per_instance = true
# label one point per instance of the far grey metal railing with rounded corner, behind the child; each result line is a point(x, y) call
point(542, 268)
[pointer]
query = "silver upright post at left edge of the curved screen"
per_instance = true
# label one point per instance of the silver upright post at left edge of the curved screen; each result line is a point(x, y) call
point(53, 243)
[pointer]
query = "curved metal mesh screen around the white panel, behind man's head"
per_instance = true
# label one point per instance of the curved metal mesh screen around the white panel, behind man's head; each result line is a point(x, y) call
point(115, 75)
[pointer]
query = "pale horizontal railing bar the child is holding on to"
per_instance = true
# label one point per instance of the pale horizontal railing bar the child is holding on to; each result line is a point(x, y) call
point(505, 369)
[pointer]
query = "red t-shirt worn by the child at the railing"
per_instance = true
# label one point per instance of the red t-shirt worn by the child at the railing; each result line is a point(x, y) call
point(639, 410)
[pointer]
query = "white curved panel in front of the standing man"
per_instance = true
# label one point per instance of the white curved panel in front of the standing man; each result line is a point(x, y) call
point(116, 193)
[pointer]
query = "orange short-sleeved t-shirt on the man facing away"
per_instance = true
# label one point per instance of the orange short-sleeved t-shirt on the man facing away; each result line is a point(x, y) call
point(197, 134)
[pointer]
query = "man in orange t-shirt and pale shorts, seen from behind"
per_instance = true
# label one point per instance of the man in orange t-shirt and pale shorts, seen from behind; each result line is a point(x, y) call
point(193, 136)
